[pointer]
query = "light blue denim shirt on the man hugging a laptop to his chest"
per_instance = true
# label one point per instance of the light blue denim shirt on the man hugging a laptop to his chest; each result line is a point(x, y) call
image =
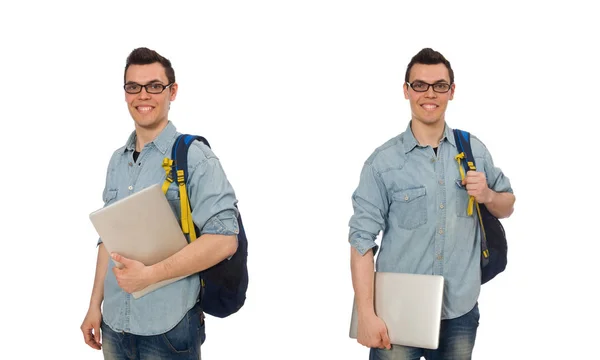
point(214, 212)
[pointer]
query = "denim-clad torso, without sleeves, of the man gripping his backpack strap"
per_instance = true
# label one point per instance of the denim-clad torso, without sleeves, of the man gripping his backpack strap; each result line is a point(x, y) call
point(427, 228)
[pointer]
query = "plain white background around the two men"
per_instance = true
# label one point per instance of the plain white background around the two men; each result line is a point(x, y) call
point(293, 97)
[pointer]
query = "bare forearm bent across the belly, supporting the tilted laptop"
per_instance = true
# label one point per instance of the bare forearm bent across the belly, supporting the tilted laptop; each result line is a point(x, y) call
point(204, 252)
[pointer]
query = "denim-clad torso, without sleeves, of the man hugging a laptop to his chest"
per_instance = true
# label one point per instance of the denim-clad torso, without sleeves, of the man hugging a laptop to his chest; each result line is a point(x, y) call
point(160, 310)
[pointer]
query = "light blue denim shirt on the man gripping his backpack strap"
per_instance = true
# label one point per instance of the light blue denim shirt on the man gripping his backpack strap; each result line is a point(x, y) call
point(412, 195)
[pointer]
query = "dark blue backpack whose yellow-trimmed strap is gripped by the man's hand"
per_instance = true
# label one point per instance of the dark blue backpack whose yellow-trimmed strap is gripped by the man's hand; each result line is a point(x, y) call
point(494, 247)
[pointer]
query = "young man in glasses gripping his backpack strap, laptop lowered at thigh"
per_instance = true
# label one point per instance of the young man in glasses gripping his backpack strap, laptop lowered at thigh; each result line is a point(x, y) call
point(431, 233)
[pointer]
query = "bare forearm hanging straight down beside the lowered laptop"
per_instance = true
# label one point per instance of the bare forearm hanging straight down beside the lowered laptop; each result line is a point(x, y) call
point(363, 267)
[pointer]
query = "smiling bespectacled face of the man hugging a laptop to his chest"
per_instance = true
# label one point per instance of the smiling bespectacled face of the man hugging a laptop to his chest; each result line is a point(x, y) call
point(149, 111)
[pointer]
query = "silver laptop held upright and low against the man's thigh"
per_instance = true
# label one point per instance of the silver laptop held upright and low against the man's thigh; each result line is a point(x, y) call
point(411, 307)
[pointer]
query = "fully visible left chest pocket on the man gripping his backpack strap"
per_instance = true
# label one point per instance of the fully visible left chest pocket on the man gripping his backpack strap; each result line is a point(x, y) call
point(410, 207)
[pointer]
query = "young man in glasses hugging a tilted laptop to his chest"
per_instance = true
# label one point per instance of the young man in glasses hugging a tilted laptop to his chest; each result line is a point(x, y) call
point(168, 322)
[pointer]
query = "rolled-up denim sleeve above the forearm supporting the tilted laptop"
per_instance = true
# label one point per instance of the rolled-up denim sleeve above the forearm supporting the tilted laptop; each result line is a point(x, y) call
point(212, 199)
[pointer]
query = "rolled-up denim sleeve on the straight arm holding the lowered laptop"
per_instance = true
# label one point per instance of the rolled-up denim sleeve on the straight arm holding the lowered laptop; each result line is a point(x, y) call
point(371, 207)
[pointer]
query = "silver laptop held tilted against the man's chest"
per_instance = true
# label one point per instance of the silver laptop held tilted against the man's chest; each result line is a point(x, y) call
point(143, 227)
